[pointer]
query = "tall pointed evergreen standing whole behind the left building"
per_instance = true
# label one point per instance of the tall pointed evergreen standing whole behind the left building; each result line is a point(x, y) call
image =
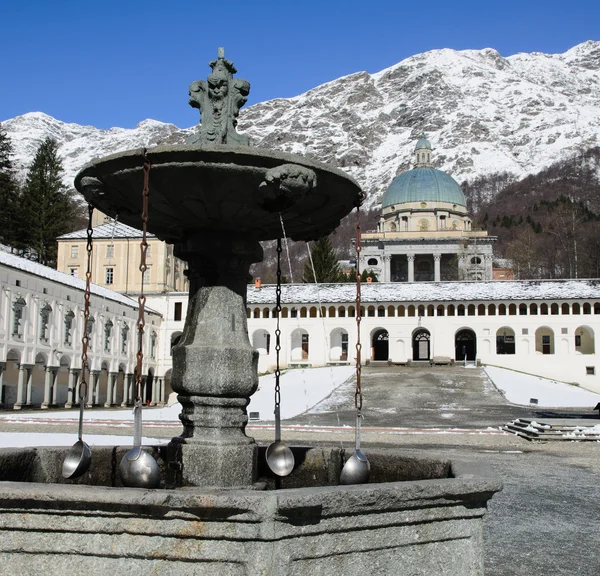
point(48, 208)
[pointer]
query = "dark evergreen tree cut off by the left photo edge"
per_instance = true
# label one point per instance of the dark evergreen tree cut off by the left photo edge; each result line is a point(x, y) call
point(9, 192)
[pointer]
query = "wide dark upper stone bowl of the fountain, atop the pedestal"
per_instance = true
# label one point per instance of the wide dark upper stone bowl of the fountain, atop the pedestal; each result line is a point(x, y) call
point(221, 188)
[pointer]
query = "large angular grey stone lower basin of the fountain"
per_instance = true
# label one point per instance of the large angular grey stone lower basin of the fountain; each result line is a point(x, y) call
point(417, 516)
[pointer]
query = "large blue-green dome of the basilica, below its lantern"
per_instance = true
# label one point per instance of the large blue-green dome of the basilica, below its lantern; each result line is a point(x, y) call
point(423, 185)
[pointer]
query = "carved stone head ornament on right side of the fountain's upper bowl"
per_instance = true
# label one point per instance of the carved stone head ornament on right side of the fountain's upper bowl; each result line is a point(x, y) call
point(286, 185)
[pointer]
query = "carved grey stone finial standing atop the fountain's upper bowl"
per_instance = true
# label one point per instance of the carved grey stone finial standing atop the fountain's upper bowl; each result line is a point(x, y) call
point(219, 100)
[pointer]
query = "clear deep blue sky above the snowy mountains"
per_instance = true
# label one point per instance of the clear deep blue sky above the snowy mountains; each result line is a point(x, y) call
point(116, 62)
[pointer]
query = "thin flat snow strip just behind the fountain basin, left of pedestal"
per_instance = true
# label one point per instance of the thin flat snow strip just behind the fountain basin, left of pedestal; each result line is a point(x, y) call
point(25, 439)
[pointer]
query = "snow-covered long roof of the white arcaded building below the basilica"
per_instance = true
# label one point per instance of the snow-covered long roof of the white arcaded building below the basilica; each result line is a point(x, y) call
point(430, 291)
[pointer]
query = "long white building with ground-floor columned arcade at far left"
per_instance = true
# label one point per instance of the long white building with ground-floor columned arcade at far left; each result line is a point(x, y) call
point(41, 330)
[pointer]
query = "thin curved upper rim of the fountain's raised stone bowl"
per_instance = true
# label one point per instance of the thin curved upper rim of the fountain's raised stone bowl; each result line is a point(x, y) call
point(204, 148)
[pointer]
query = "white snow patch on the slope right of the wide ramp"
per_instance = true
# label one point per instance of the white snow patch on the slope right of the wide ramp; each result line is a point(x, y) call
point(519, 388)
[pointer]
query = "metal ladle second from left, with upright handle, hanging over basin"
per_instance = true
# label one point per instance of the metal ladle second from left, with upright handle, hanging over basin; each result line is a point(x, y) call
point(139, 469)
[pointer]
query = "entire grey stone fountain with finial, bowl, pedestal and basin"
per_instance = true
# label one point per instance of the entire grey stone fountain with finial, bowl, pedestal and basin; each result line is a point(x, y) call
point(219, 510)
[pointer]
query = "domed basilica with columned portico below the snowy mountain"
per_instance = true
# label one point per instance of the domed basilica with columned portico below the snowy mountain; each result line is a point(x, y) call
point(424, 233)
